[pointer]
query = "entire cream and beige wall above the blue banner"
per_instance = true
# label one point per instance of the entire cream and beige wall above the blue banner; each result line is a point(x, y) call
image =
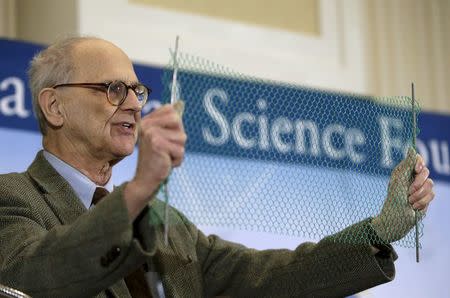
point(362, 46)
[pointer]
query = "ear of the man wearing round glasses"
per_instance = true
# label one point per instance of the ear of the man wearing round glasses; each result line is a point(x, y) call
point(51, 107)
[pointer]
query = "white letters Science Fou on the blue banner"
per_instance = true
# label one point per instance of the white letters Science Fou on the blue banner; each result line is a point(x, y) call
point(303, 137)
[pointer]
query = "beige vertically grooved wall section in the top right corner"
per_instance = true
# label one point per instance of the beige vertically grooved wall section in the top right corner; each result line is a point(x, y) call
point(410, 43)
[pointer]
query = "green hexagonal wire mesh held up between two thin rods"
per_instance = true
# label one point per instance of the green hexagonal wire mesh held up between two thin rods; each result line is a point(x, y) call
point(274, 157)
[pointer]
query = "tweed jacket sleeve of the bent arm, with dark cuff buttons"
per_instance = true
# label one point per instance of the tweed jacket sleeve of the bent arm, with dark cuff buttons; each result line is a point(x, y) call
point(79, 259)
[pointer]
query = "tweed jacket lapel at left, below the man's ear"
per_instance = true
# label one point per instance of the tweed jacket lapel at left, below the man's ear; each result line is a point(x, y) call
point(57, 192)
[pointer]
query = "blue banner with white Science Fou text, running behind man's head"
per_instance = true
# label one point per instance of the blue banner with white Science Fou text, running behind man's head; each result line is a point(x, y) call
point(261, 121)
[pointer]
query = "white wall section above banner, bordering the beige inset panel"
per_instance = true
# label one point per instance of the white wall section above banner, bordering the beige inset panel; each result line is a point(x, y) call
point(333, 61)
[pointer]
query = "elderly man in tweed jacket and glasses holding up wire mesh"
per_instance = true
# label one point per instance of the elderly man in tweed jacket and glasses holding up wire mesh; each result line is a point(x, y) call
point(88, 100)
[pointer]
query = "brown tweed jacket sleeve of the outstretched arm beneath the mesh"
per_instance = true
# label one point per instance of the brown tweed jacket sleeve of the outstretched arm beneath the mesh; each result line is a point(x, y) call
point(332, 267)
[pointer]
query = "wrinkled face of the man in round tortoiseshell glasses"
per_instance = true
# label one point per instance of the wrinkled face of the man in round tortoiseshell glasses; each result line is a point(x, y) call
point(91, 124)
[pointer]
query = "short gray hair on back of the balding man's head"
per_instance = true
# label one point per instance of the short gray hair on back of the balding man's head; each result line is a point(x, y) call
point(51, 66)
